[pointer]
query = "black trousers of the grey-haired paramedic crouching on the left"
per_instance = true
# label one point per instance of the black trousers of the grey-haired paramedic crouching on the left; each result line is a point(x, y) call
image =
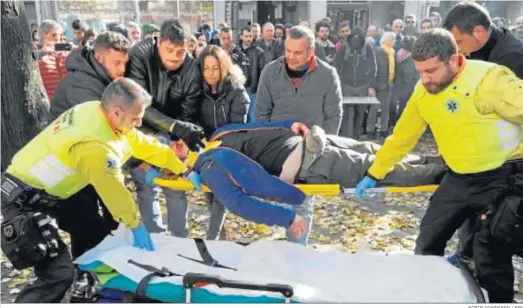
point(79, 216)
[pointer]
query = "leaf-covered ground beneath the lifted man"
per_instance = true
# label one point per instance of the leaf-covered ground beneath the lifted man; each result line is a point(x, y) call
point(388, 224)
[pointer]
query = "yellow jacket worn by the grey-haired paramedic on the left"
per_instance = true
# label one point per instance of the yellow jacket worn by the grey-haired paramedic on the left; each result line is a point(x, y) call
point(81, 148)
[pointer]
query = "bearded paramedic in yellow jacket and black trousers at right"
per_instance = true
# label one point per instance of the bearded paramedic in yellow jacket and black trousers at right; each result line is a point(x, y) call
point(475, 111)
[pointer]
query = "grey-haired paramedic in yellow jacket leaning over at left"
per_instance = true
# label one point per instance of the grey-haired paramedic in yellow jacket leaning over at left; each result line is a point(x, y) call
point(84, 149)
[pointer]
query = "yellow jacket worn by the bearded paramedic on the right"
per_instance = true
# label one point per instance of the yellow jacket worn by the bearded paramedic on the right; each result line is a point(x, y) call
point(476, 121)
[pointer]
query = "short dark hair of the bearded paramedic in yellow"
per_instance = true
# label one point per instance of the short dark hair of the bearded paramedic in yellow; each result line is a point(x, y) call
point(435, 43)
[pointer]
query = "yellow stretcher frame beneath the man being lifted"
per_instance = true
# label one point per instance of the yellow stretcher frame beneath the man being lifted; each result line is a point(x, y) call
point(309, 189)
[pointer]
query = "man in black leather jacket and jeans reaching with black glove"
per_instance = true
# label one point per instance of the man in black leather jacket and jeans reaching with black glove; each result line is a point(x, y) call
point(163, 67)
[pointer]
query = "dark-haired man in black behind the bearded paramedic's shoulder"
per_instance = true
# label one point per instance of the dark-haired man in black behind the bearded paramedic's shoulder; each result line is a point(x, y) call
point(479, 39)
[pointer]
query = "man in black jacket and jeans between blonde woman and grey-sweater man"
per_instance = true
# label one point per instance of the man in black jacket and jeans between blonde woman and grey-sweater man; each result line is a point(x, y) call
point(256, 63)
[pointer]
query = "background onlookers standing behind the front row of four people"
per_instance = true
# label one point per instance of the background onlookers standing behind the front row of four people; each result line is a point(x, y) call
point(375, 62)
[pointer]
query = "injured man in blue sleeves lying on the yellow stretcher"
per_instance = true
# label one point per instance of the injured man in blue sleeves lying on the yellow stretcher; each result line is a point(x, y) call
point(244, 162)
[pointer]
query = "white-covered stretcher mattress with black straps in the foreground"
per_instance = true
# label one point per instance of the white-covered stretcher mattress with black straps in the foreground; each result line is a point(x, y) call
point(316, 277)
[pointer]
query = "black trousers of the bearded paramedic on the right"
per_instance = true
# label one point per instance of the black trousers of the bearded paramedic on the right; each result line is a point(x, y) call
point(462, 197)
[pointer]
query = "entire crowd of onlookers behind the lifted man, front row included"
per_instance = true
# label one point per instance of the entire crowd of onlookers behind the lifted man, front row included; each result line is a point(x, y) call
point(220, 76)
